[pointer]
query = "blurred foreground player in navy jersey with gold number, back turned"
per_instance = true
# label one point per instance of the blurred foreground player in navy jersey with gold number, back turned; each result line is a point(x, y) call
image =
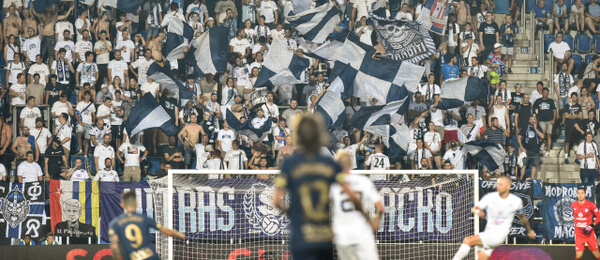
point(307, 176)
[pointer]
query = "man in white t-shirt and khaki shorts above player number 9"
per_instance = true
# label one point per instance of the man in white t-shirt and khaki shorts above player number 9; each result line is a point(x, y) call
point(131, 154)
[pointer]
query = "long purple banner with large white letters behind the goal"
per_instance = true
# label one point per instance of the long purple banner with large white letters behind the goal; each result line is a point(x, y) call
point(242, 209)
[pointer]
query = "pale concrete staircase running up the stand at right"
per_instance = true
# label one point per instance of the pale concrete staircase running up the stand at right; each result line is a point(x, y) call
point(530, 65)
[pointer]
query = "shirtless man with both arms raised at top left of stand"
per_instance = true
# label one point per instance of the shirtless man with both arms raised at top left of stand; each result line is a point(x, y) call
point(48, 19)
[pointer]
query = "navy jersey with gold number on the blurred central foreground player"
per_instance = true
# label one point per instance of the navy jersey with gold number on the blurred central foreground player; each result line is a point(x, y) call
point(308, 179)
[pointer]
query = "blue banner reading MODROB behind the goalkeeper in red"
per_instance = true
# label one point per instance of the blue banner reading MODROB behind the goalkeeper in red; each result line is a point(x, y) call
point(557, 211)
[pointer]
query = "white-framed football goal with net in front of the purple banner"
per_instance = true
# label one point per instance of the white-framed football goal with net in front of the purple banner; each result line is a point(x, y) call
point(234, 218)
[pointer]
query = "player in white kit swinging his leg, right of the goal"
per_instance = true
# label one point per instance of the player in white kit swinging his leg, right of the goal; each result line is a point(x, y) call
point(500, 209)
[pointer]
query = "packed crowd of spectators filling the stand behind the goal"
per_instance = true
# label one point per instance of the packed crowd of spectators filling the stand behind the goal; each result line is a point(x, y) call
point(73, 75)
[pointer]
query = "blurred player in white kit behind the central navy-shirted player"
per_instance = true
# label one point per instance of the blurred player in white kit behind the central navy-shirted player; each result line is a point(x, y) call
point(352, 229)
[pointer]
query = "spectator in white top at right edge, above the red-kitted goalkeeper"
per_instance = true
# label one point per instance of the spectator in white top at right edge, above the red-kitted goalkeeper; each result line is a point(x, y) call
point(587, 154)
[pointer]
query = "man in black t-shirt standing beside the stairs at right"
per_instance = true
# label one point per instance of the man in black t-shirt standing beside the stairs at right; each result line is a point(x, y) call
point(546, 110)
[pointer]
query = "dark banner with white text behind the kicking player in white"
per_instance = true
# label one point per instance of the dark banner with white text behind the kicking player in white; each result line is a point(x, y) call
point(521, 189)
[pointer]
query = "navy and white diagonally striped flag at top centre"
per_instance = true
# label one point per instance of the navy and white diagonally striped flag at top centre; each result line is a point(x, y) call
point(317, 23)
